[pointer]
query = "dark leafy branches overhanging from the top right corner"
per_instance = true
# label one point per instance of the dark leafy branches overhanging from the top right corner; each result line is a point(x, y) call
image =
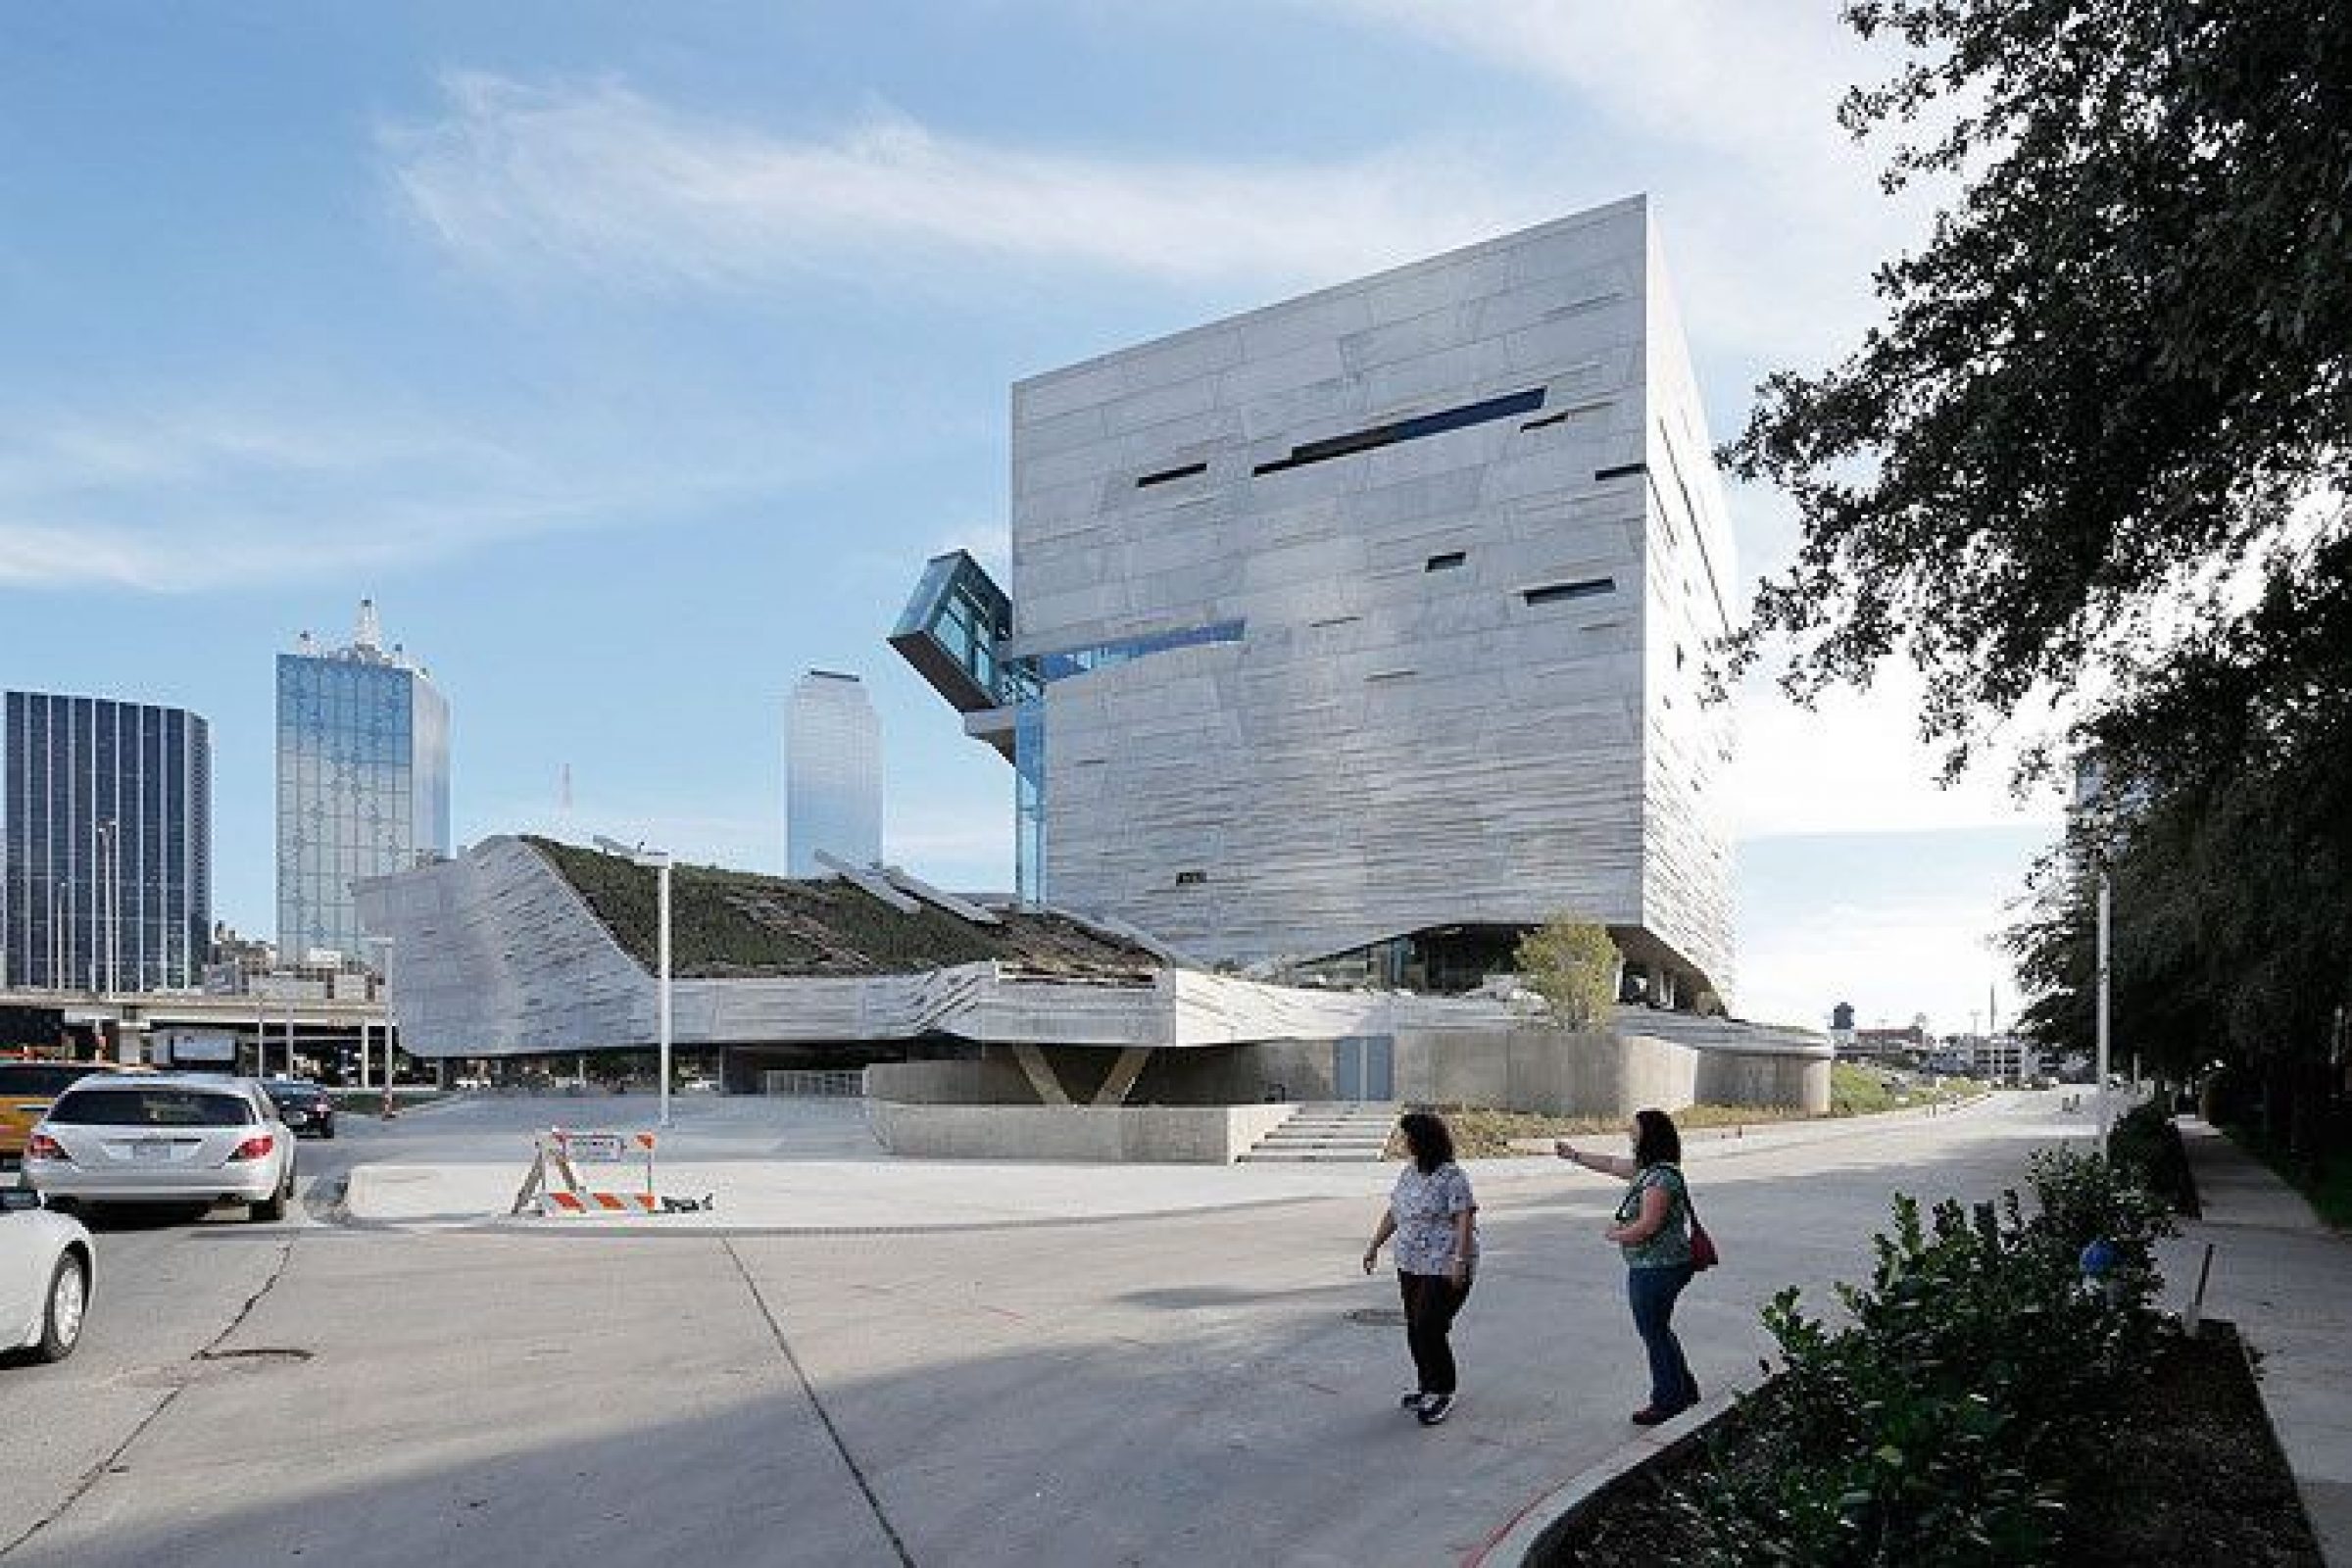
point(2116, 380)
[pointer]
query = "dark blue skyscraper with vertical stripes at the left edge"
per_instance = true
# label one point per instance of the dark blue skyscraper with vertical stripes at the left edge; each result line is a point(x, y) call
point(109, 845)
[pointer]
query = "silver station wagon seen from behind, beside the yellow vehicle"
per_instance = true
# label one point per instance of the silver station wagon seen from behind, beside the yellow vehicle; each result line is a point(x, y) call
point(166, 1139)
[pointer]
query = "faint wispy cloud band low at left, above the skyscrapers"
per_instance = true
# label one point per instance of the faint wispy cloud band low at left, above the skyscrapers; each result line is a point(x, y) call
point(182, 495)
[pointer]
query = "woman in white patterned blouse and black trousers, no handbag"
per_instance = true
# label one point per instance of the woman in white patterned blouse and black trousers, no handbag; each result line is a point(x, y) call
point(1434, 1219)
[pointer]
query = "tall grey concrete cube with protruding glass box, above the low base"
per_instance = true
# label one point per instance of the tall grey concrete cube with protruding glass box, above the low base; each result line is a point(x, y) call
point(1370, 629)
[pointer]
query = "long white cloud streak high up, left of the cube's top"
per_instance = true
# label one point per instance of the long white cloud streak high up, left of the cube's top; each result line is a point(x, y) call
point(601, 180)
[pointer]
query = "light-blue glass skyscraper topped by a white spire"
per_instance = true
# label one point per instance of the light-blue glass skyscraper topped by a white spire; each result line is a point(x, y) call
point(363, 784)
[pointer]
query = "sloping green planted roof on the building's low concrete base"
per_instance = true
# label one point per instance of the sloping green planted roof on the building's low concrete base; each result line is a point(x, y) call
point(742, 925)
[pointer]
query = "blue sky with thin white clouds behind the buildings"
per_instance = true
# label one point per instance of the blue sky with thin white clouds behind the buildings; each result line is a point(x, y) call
point(634, 361)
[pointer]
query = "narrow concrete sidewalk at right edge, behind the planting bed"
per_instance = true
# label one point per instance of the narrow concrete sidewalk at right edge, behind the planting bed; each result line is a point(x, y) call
point(2287, 1282)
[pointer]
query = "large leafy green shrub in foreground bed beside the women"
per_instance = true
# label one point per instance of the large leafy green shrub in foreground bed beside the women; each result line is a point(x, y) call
point(1935, 1428)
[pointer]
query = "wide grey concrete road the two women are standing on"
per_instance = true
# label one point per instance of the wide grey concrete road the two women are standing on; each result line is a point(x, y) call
point(1172, 1391)
